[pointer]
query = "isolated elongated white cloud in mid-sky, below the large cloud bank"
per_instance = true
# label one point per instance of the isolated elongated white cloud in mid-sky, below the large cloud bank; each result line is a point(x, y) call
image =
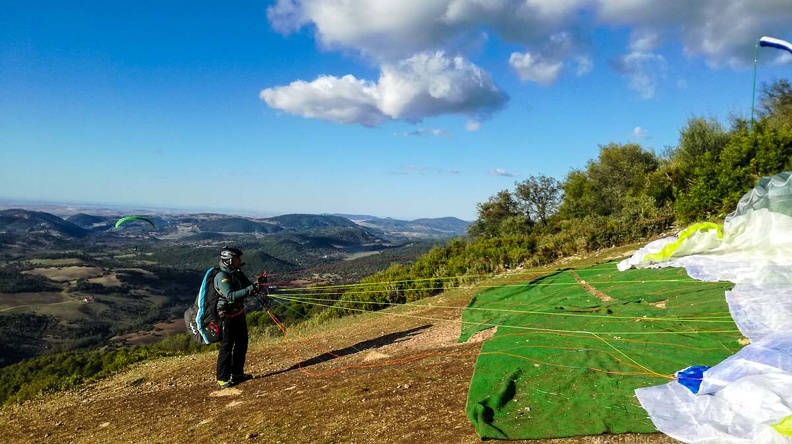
point(425, 85)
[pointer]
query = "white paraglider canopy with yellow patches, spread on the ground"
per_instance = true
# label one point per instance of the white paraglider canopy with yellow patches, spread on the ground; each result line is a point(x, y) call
point(748, 397)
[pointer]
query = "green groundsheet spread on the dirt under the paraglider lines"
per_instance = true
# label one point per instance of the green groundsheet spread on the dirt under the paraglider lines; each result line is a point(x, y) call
point(565, 361)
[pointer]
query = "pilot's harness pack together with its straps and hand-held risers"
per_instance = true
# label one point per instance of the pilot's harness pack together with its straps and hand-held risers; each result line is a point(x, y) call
point(202, 319)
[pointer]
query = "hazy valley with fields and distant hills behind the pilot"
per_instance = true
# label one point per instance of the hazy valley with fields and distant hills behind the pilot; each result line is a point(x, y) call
point(79, 282)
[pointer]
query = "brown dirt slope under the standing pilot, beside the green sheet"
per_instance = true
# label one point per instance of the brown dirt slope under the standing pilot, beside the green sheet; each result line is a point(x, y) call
point(396, 376)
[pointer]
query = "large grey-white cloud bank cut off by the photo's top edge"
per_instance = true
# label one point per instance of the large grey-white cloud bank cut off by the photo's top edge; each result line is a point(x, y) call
point(722, 32)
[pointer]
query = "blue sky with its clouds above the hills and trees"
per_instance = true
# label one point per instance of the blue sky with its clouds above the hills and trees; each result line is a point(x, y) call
point(394, 108)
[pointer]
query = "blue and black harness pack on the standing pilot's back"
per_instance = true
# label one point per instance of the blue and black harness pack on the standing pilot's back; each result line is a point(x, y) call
point(202, 319)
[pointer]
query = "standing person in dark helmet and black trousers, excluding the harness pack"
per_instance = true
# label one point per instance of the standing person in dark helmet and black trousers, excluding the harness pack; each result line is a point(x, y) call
point(232, 287)
